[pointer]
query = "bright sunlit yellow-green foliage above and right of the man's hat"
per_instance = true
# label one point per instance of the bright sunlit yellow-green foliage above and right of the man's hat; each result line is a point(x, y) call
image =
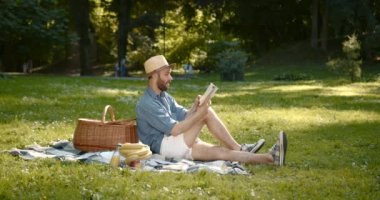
point(191, 32)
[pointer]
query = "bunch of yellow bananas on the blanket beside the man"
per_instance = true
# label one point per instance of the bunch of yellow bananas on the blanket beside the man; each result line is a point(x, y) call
point(135, 151)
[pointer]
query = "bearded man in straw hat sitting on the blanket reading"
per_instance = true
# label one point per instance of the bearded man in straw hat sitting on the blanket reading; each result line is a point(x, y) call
point(172, 131)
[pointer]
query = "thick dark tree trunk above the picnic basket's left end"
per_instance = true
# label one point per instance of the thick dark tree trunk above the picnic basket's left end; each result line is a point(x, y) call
point(81, 11)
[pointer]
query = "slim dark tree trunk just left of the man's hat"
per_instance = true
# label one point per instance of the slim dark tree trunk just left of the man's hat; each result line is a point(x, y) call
point(124, 18)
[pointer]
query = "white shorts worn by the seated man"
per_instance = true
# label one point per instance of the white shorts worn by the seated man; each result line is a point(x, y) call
point(175, 147)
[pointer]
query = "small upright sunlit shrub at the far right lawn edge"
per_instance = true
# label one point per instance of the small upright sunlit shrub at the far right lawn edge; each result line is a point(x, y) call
point(351, 63)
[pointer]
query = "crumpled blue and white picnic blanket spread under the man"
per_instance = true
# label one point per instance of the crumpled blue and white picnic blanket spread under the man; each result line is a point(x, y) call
point(65, 151)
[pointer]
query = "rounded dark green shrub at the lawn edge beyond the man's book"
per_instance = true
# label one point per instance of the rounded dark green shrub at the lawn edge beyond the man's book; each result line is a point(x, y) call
point(231, 64)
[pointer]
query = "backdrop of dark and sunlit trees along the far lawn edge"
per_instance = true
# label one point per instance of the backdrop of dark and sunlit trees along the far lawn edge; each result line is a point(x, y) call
point(186, 31)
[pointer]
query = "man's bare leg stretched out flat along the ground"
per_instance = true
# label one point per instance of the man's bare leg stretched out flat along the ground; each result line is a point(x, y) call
point(206, 152)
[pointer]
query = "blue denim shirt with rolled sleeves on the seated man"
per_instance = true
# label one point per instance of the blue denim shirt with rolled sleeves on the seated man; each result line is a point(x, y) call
point(156, 115)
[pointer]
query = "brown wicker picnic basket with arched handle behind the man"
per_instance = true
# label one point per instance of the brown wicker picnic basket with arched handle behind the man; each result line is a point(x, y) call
point(100, 135)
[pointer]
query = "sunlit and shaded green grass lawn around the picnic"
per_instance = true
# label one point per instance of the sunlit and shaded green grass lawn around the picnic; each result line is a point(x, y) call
point(333, 131)
